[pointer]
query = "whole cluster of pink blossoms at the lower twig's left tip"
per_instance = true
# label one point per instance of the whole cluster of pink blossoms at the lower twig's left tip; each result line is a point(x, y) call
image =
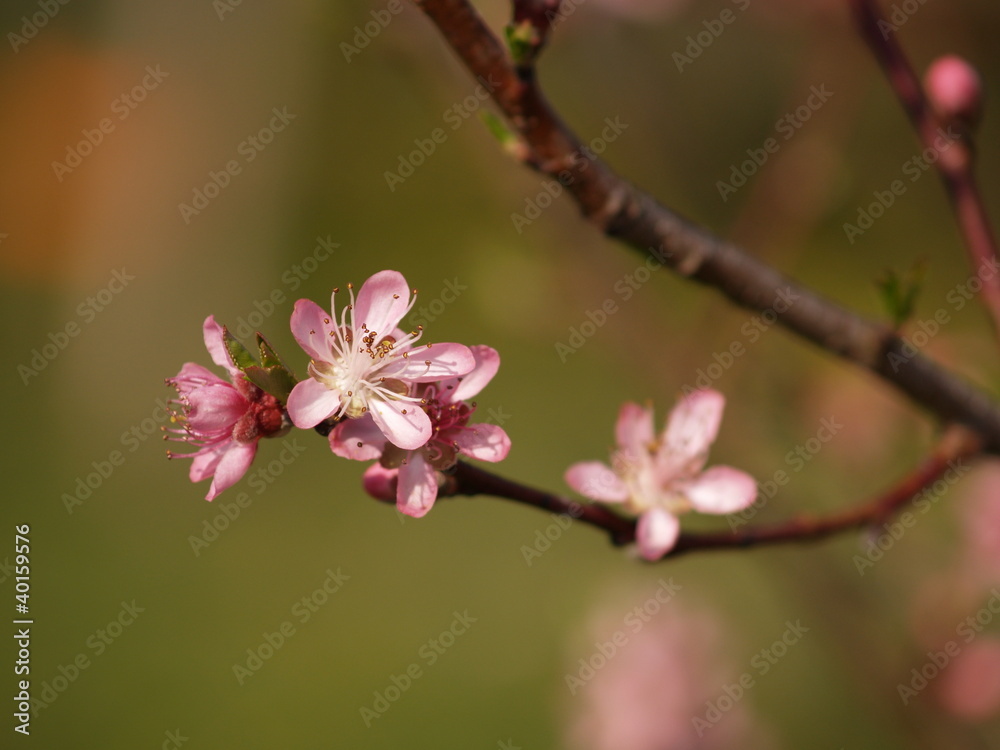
point(388, 396)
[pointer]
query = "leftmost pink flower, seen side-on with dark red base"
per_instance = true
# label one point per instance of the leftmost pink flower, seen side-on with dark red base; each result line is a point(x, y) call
point(223, 419)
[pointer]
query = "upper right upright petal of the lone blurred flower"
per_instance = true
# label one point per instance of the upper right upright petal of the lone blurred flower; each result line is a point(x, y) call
point(691, 429)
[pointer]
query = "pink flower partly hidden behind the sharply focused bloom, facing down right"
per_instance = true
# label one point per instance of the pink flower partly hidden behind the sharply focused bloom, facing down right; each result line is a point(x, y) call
point(410, 476)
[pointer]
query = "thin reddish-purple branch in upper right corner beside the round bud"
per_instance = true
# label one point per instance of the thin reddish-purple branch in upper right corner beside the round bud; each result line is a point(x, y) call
point(955, 162)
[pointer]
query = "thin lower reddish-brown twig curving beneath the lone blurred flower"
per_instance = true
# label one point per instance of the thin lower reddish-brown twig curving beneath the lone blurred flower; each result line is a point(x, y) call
point(957, 445)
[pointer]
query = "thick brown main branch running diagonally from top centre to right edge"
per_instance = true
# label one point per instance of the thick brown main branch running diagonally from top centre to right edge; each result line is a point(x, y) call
point(620, 210)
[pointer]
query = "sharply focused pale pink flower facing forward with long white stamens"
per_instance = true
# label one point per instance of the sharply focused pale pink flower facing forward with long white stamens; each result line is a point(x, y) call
point(366, 365)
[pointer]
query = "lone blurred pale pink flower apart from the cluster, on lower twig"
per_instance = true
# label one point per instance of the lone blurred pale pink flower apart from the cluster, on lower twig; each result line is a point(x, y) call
point(661, 478)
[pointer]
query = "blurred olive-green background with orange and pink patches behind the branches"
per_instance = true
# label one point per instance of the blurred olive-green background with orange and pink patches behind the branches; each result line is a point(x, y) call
point(168, 676)
